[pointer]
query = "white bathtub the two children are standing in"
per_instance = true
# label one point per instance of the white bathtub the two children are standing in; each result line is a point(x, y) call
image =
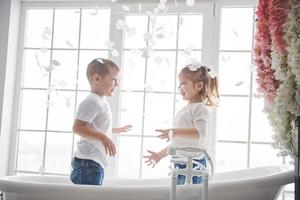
point(262, 183)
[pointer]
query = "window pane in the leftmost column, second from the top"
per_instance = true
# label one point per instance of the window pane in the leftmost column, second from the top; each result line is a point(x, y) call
point(35, 76)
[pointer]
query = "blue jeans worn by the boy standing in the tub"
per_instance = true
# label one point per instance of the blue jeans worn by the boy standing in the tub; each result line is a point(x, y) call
point(87, 172)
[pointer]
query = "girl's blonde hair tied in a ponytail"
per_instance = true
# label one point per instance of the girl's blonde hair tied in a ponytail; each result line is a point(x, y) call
point(197, 73)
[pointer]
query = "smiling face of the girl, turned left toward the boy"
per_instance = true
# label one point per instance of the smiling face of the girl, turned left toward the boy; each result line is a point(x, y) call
point(188, 89)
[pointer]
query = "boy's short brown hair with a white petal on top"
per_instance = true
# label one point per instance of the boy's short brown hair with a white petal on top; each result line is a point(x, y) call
point(100, 66)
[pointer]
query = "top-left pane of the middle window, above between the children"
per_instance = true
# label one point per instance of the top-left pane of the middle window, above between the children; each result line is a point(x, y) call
point(140, 24)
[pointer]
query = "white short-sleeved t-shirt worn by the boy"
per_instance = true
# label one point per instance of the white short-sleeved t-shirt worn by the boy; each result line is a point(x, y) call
point(95, 110)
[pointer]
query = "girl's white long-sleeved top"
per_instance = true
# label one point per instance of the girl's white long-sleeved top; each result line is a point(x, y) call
point(193, 115)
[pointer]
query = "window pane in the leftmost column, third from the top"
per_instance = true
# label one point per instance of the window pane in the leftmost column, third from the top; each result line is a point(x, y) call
point(33, 111)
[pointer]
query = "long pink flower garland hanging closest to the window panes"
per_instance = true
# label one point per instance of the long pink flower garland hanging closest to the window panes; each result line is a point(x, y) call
point(262, 53)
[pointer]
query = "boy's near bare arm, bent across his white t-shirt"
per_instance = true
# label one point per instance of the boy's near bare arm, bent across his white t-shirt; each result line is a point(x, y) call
point(83, 129)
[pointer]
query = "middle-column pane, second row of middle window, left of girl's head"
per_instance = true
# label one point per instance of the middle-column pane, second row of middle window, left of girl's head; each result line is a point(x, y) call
point(161, 72)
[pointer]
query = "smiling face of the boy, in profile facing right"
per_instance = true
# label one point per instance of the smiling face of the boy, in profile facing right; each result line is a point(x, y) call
point(105, 86)
